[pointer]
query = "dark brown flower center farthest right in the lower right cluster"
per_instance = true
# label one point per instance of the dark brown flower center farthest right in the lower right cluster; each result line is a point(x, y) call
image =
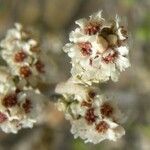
point(106, 110)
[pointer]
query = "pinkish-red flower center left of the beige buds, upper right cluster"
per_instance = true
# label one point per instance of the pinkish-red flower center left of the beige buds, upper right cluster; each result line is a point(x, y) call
point(85, 48)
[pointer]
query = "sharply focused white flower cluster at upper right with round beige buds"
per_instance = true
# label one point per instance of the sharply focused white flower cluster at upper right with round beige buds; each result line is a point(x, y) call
point(98, 49)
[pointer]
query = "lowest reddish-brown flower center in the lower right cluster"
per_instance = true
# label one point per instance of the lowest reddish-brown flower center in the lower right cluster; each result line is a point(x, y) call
point(102, 127)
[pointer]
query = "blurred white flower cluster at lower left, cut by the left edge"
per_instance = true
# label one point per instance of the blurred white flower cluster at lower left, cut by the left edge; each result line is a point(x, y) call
point(19, 108)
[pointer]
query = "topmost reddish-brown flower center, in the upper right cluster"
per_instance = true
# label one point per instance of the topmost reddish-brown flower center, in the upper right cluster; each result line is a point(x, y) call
point(92, 28)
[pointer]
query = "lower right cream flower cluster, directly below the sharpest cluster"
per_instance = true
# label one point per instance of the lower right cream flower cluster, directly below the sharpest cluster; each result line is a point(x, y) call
point(93, 117)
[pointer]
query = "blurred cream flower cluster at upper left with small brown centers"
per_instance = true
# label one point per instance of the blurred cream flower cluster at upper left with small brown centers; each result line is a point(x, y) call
point(23, 56)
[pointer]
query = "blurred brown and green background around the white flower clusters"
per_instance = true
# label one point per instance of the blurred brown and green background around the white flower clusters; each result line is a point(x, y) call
point(51, 21)
